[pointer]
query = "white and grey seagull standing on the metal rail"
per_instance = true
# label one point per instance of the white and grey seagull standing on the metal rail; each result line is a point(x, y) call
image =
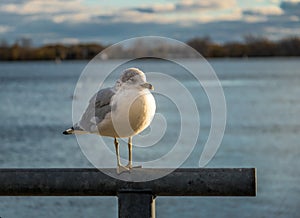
point(121, 111)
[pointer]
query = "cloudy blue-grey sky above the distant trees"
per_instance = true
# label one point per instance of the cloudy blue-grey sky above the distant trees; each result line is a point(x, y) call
point(107, 22)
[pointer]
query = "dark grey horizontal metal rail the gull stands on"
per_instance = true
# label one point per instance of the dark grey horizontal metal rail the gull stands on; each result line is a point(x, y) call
point(93, 182)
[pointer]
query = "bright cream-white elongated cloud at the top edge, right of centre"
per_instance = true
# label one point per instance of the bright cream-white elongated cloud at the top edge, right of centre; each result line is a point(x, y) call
point(182, 12)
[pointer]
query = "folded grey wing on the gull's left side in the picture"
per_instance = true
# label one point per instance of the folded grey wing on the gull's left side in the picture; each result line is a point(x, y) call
point(97, 109)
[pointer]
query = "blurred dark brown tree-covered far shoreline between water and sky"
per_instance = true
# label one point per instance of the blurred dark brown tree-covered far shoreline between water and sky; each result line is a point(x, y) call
point(252, 47)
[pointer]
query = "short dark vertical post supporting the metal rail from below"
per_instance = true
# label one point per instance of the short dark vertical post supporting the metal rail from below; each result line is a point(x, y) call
point(136, 204)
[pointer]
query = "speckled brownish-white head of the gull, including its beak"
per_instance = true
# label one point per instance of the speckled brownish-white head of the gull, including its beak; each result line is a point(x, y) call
point(133, 78)
